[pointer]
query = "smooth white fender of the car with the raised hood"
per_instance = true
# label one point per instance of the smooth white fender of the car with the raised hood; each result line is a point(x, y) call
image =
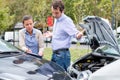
point(109, 72)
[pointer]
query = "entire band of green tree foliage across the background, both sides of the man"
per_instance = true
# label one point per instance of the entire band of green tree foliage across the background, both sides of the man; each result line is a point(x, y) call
point(12, 11)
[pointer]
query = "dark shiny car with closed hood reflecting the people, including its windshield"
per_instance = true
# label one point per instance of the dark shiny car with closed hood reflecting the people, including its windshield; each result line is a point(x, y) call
point(18, 65)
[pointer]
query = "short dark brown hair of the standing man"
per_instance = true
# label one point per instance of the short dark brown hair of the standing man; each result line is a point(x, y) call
point(58, 4)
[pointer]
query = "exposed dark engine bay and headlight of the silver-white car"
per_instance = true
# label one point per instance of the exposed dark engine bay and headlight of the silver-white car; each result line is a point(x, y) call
point(88, 64)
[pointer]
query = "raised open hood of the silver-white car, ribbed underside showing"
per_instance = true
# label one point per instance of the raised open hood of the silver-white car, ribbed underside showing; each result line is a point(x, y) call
point(99, 32)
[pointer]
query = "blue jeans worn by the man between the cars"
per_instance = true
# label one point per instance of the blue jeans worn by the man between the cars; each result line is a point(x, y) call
point(62, 58)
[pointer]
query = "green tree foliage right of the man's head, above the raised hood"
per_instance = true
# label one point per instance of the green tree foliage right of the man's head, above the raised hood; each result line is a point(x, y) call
point(78, 9)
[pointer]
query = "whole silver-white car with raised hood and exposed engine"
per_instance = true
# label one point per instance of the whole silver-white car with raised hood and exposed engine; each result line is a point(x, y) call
point(105, 50)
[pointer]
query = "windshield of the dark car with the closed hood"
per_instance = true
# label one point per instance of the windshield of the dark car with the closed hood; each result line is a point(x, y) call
point(7, 47)
